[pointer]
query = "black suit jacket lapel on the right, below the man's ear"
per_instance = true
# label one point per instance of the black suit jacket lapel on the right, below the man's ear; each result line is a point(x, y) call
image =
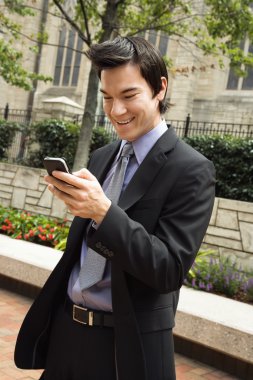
point(148, 169)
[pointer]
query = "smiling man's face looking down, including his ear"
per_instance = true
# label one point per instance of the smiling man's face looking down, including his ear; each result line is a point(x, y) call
point(128, 101)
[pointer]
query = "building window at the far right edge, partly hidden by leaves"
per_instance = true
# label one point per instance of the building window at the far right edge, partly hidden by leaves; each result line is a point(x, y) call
point(242, 83)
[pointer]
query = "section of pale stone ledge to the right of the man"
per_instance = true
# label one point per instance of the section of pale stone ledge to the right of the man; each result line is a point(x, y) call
point(216, 322)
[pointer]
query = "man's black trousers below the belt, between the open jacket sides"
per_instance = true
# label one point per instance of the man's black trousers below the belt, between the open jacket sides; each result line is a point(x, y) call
point(78, 352)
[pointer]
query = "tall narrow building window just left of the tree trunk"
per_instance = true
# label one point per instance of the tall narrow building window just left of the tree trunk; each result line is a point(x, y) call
point(68, 60)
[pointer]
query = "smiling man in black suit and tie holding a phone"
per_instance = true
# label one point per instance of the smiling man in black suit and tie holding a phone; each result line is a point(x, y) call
point(149, 233)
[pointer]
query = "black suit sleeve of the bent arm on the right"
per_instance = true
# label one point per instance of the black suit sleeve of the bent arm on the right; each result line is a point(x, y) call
point(161, 259)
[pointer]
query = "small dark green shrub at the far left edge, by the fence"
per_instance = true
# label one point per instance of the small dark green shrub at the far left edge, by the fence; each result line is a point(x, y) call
point(7, 133)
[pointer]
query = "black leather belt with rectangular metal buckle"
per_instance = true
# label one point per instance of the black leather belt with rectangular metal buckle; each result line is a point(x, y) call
point(88, 317)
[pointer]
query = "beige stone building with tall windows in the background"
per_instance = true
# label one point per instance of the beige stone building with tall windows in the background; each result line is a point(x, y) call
point(198, 87)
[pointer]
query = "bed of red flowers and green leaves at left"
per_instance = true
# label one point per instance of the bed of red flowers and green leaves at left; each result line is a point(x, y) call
point(39, 229)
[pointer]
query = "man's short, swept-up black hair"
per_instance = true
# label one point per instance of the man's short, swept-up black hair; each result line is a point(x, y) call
point(136, 50)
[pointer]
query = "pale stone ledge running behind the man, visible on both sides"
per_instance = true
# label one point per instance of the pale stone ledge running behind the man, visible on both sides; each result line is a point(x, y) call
point(216, 322)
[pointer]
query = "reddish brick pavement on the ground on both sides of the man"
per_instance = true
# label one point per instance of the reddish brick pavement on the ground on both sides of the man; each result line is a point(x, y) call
point(13, 308)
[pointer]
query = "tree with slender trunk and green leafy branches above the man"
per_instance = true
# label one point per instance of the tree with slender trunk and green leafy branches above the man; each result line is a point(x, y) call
point(215, 27)
